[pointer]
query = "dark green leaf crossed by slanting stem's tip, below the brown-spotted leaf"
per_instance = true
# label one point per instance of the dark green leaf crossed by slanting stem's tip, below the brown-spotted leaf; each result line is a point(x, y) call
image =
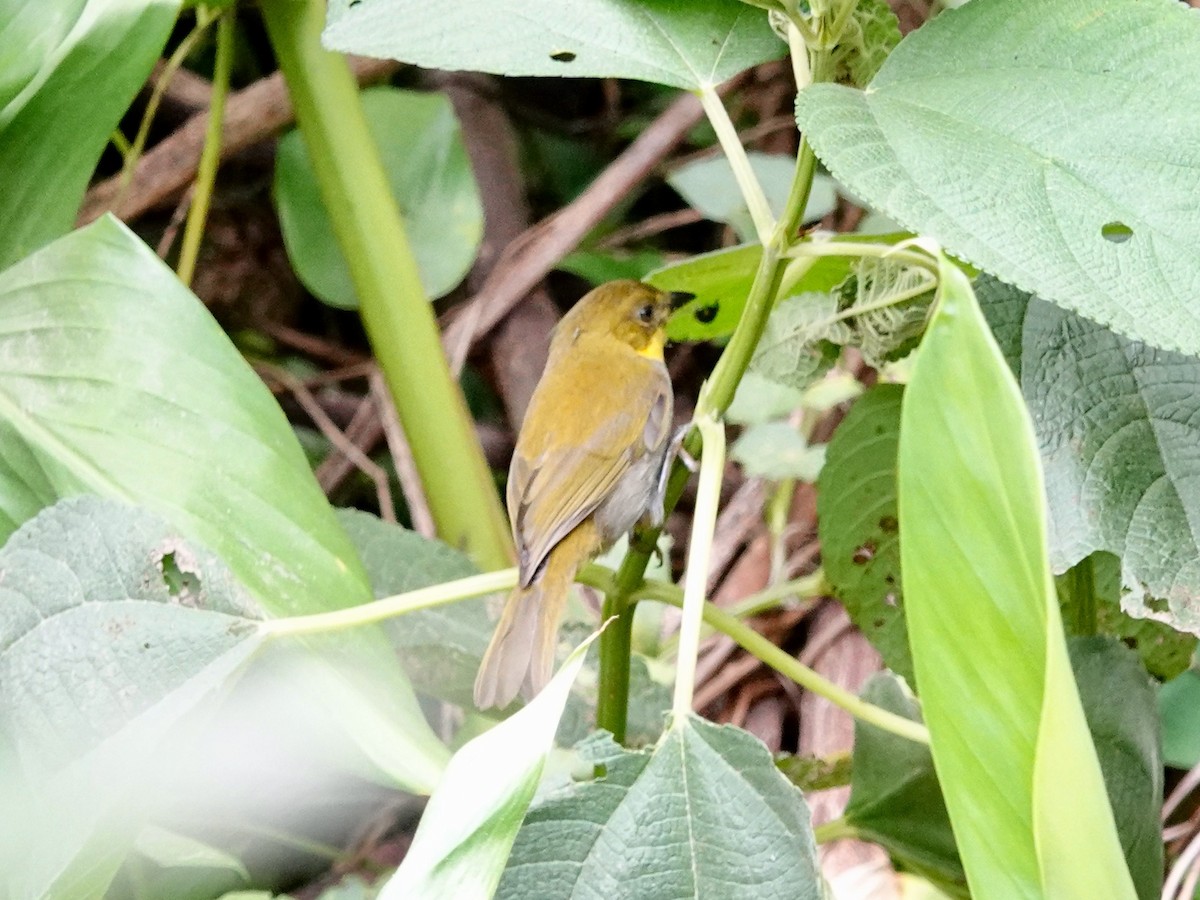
point(896, 800)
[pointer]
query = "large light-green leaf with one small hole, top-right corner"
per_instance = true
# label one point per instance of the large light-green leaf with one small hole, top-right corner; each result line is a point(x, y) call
point(1052, 143)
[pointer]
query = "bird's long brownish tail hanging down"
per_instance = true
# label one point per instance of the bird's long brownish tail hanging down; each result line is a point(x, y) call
point(521, 656)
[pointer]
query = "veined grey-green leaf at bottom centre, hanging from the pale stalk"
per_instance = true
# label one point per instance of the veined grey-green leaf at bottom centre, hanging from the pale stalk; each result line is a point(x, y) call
point(704, 815)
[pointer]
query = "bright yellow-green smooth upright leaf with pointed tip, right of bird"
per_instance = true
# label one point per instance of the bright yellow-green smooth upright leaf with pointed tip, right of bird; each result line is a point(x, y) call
point(1010, 742)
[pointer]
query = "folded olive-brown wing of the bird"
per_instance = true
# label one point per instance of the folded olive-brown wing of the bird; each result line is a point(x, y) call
point(562, 475)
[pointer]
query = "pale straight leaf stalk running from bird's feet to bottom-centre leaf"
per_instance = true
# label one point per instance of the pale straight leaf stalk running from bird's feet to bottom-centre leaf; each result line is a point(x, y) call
point(704, 523)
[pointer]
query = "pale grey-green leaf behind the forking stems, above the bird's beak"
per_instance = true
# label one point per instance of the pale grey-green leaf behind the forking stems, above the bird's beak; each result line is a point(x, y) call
point(709, 187)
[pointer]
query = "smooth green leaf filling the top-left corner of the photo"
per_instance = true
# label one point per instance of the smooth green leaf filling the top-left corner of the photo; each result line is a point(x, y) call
point(68, 74)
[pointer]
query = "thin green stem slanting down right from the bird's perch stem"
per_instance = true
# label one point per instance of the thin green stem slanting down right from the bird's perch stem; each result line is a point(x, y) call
point(789, 667)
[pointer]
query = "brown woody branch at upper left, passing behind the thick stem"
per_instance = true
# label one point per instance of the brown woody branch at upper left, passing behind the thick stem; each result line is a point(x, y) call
point(251, 115)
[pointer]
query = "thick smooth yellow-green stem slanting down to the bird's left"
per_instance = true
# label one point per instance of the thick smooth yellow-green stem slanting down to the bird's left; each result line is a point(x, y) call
point(395, 311)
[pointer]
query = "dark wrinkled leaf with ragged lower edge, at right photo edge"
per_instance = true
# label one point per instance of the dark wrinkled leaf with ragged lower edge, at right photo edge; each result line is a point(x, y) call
point(1119, 430)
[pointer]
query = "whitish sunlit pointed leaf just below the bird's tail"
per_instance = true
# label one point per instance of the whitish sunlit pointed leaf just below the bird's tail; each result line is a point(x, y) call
point(465, 837)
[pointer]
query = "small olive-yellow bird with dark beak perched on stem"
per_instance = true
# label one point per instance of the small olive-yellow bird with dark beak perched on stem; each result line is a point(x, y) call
point(589, 465)
